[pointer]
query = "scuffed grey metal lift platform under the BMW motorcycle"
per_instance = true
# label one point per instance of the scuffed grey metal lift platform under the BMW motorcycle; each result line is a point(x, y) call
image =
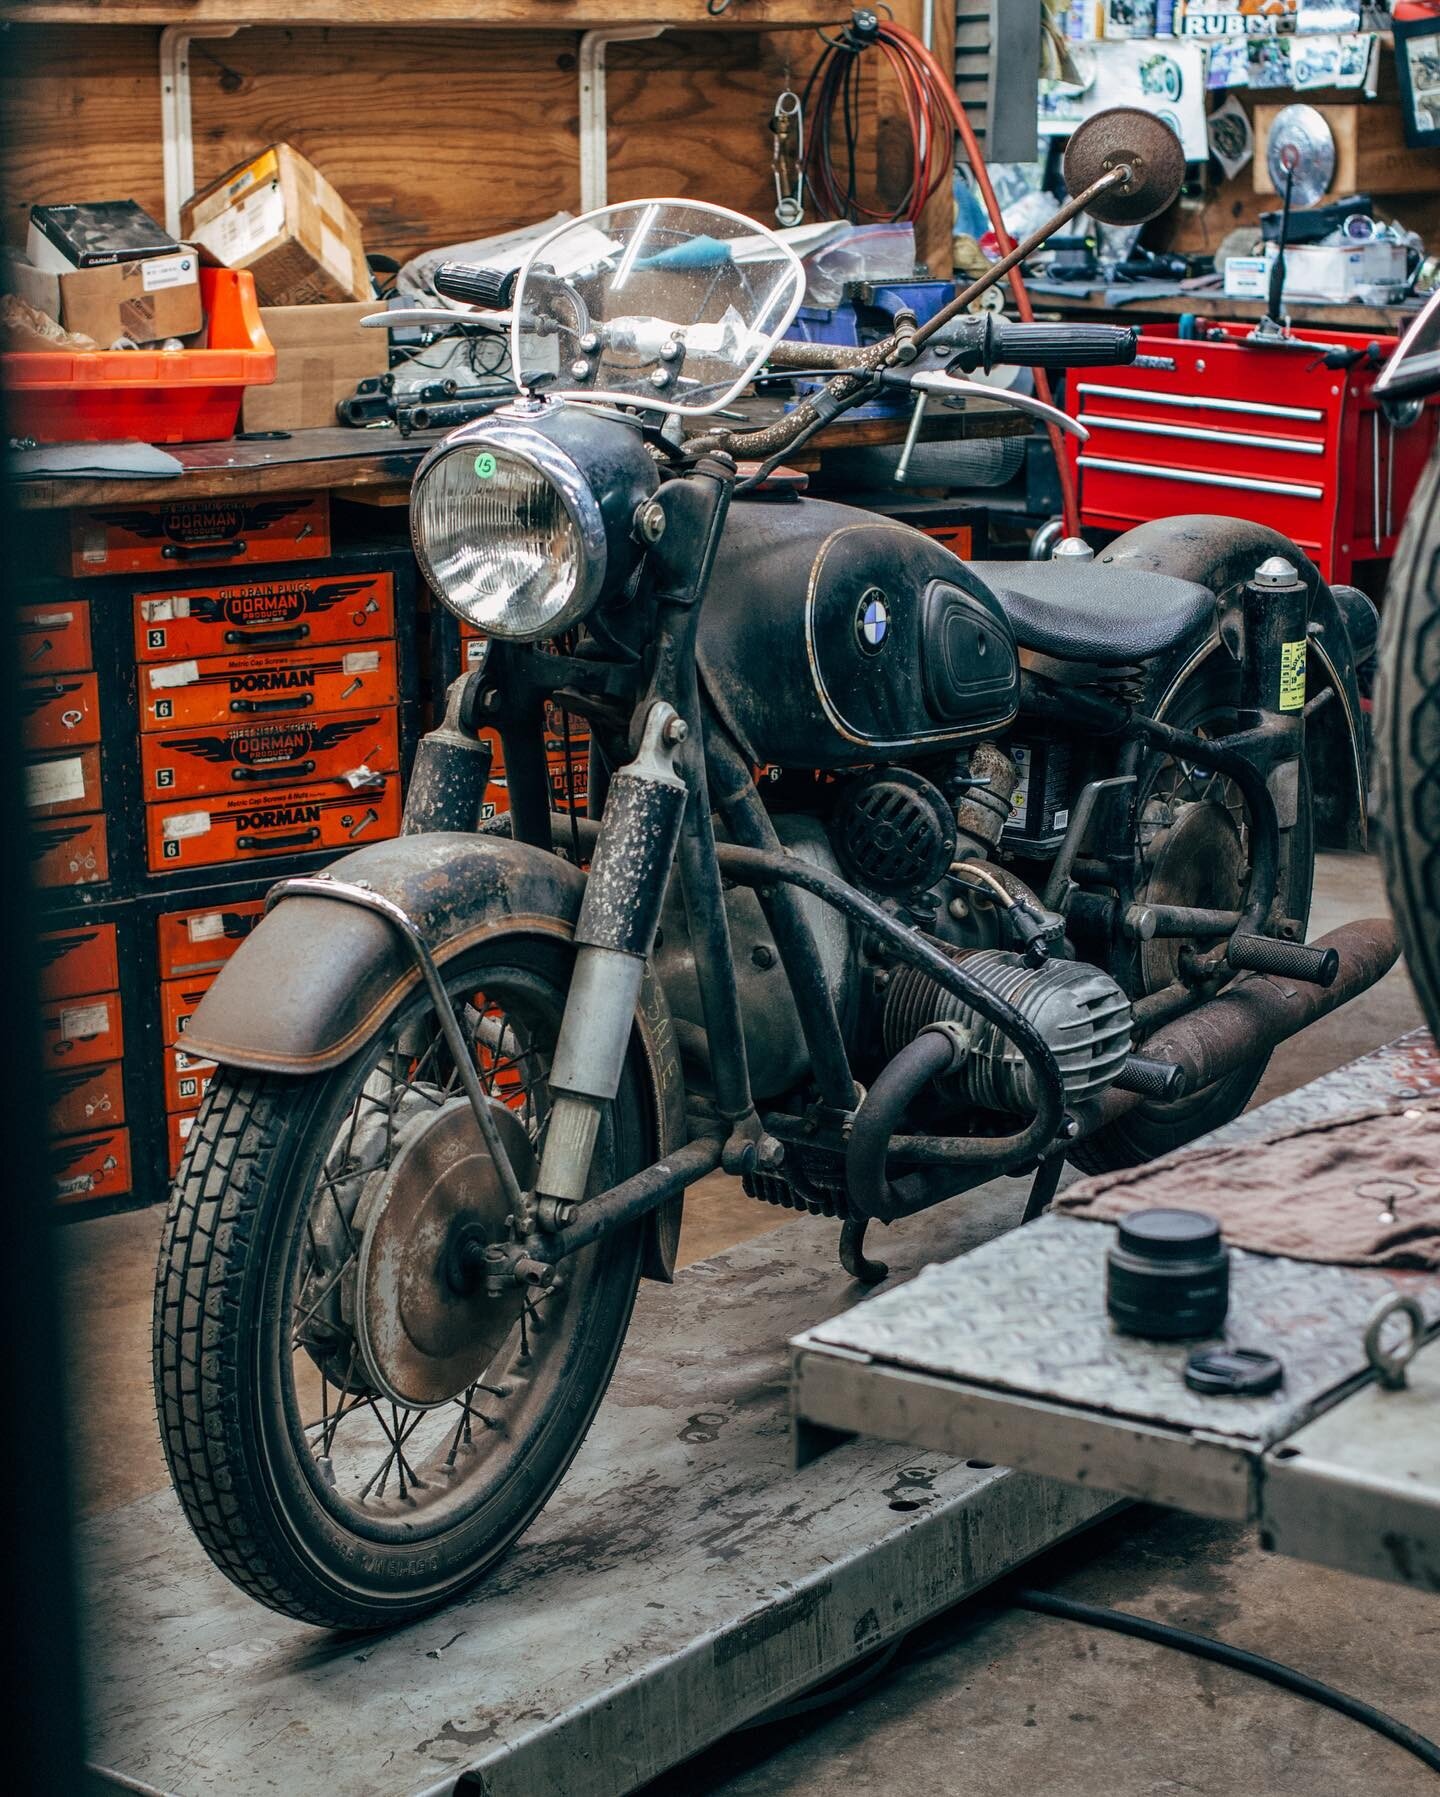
point(684, 1580)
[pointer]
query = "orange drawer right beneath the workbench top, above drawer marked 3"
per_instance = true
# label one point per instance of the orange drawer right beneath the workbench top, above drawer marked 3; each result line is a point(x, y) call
point(191, 533)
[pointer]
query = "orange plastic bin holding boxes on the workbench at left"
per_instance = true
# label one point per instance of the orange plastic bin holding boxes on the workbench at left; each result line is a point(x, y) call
point(121, 394)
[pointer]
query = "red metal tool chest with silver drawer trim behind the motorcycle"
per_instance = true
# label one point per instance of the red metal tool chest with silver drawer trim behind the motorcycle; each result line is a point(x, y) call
point(1236, 427)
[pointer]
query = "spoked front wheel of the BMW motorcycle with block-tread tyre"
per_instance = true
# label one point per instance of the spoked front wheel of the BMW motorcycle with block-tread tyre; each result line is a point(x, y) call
point(353, 1426)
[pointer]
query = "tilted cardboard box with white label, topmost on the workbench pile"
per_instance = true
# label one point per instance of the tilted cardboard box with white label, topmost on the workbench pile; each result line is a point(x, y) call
point(281, 218)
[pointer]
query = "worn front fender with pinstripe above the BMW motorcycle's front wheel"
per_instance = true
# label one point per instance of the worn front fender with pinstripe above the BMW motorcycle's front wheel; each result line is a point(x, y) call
point(319, 977)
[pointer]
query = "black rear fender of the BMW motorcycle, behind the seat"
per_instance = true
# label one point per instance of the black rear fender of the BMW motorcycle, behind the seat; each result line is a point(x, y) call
point(1223, 554)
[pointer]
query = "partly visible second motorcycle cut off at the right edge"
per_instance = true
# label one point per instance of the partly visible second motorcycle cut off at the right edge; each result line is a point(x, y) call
point(1409, 687)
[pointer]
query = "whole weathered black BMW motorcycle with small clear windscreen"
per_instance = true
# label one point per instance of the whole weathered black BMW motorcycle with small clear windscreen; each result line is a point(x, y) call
point(1027, 878)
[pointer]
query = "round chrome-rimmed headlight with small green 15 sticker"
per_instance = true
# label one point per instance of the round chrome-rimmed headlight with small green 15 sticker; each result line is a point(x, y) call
point(510, 533)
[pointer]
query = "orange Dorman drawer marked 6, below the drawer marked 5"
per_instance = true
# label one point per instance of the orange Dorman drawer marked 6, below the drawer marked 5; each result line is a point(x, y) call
point(247, 826)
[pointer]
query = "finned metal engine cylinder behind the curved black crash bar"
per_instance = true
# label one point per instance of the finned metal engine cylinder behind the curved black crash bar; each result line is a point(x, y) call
point(1080, 1011)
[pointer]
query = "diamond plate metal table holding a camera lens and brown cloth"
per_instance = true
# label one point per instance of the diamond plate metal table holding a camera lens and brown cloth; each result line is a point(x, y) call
point(1008, 1354)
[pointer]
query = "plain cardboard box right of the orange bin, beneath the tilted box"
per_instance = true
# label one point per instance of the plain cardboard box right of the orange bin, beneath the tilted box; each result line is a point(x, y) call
point(321, 357)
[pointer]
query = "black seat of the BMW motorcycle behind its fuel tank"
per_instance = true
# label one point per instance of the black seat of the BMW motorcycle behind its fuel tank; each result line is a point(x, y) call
point(1092, 612)
